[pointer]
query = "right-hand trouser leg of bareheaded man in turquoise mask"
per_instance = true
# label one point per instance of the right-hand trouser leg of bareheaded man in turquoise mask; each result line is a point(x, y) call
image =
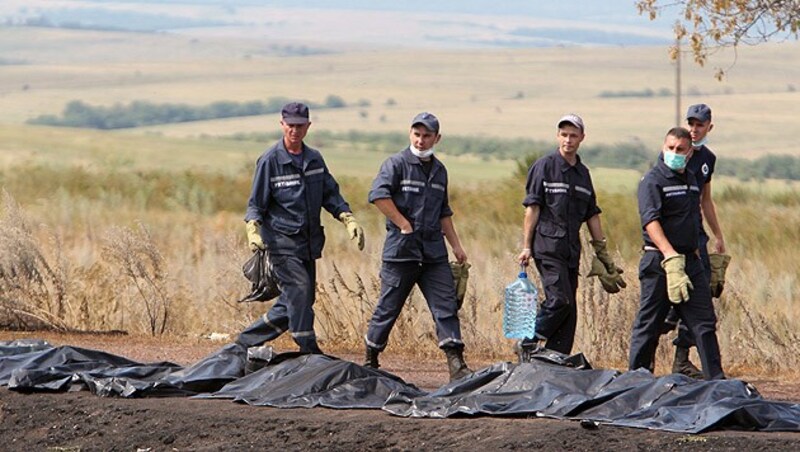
point(698, 314)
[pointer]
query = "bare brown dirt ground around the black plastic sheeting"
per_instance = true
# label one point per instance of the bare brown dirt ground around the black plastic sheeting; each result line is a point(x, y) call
point(81, 421)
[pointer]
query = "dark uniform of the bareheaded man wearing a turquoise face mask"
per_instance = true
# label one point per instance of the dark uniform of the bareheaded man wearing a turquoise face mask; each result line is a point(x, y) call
point(673, 199)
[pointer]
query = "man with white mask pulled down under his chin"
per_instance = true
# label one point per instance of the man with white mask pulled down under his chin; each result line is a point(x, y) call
point(411, 191)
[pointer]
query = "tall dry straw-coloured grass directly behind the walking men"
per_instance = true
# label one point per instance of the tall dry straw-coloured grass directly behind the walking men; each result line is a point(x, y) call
point(115, 260)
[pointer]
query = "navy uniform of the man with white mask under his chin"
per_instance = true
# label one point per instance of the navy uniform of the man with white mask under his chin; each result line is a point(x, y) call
point(420, 194)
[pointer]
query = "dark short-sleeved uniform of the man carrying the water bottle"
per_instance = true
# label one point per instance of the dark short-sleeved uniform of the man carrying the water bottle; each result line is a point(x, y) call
point(566, 199)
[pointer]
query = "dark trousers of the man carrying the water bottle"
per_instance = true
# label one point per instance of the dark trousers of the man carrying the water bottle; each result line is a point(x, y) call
point(557, 317)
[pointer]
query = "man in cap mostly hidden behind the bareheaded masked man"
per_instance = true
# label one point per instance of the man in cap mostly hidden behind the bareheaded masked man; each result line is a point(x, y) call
point(701, 163)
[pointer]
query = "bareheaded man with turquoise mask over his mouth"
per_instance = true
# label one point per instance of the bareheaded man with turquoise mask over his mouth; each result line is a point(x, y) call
point(671, 271)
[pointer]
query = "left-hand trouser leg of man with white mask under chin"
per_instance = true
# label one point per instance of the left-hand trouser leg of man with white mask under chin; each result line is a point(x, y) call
point(397, 280)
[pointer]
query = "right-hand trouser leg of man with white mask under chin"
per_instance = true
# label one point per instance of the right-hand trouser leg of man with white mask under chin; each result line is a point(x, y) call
point(437, 286)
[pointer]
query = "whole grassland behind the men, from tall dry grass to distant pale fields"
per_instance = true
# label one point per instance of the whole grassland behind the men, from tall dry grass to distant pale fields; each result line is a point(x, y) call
point(124, 227)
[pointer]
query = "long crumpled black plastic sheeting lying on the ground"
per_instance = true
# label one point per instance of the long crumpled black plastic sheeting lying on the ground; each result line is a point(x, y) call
point(554, 386)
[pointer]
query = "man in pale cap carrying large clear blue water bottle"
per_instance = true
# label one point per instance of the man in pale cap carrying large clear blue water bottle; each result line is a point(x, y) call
point(559, 198)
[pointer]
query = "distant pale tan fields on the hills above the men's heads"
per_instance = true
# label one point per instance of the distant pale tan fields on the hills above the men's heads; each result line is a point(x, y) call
point(501, 93)
